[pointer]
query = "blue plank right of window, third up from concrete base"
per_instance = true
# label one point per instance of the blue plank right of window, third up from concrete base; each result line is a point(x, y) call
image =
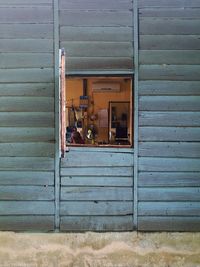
point(169, 194)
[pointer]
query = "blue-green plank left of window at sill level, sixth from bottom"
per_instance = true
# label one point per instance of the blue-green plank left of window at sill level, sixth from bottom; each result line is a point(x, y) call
point(38, 149)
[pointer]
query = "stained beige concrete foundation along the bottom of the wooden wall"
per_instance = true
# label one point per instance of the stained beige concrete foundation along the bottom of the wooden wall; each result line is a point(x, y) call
point(128, 249)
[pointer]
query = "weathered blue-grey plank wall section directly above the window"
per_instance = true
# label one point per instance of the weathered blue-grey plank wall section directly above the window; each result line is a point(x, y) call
point(97, 35)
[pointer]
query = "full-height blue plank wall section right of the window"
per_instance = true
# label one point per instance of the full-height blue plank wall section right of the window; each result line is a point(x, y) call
point(169, 115)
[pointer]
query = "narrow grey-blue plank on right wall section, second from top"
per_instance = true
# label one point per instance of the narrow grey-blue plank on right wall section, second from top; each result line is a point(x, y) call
point(168, 12)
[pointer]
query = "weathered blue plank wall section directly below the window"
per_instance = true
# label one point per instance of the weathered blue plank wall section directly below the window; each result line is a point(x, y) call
point(97, 190)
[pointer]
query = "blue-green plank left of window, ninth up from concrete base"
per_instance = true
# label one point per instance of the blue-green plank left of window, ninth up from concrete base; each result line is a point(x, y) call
point(26, 104)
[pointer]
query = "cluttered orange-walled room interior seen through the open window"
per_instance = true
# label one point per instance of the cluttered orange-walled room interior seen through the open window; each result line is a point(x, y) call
point(98, 111)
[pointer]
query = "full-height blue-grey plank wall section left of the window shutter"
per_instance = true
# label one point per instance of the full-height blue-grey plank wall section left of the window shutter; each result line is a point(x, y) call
point(26, 115)
